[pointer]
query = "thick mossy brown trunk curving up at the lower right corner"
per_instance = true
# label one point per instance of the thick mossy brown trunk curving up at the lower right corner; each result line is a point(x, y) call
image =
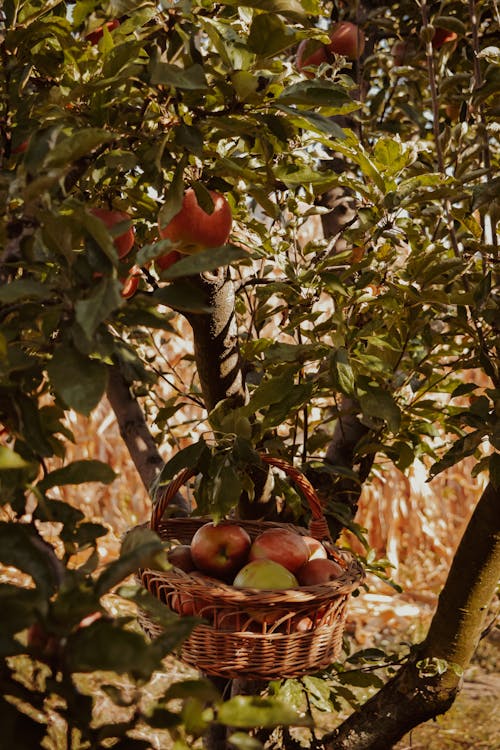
point(412, 697)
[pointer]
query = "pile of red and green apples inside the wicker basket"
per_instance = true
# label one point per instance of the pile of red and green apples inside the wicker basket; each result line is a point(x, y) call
point(276, 559)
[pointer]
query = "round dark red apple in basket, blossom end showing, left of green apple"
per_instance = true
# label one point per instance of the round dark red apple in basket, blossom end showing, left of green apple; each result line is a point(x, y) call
point(220, 549)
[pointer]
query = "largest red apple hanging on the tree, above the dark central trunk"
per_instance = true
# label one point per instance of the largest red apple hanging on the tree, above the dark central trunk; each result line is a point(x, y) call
point(195, 229)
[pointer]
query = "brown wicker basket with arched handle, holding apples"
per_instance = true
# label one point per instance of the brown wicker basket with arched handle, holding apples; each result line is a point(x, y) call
point(253, 633)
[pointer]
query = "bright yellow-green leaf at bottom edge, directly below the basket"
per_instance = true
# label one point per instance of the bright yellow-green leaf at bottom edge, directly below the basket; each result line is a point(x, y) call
point(247, 711)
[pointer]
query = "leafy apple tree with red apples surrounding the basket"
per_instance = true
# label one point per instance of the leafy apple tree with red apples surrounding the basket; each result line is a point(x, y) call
point(348, 316)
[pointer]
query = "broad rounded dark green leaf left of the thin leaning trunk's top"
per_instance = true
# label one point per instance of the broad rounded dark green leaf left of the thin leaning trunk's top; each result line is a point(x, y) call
point(79, 380)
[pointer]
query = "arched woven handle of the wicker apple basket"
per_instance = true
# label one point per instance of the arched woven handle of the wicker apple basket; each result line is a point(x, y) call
point(318, 526)
